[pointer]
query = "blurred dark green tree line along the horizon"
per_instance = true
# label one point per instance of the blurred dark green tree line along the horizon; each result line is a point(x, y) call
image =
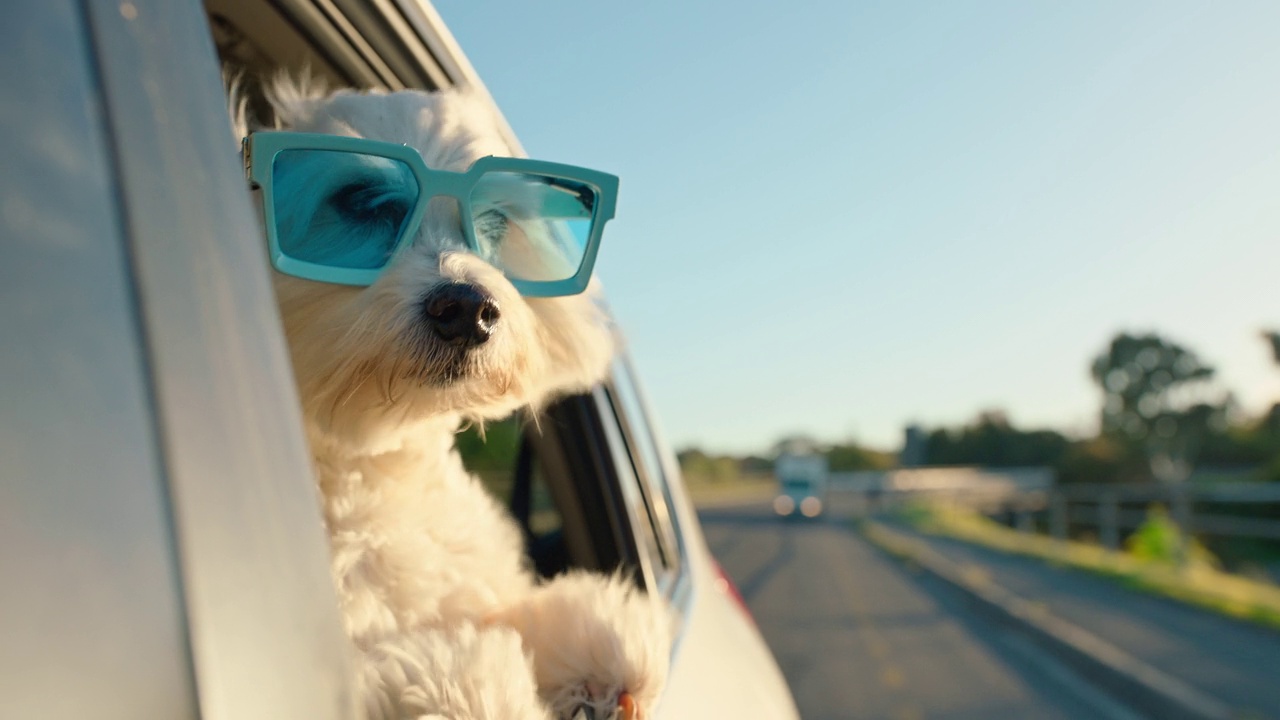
point(1163, 416)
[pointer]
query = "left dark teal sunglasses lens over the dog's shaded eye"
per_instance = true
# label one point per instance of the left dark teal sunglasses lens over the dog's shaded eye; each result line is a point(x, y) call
point(341, 209)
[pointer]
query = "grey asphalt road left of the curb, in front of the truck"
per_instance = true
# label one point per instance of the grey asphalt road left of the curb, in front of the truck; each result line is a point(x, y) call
point(861, 637)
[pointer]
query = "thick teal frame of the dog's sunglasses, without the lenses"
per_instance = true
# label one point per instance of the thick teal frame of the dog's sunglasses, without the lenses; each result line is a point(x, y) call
point(262, 148)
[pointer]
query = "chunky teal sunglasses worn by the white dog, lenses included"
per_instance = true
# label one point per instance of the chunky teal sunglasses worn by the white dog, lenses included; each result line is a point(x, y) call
point(339, 209)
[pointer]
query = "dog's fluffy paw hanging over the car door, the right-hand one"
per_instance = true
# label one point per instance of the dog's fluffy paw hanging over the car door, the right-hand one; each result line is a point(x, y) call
point(598, 642)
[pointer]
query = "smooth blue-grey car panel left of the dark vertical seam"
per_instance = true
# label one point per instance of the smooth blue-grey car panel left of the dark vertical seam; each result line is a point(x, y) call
point(92, 610)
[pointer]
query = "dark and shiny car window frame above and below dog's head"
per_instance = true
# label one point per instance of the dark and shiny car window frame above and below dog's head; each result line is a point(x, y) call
point(615, 498)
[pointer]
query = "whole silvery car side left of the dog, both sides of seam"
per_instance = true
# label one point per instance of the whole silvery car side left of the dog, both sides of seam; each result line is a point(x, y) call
point(163, 554)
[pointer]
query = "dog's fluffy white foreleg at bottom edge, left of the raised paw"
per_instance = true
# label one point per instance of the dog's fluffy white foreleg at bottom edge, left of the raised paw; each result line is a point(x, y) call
point(461, 673)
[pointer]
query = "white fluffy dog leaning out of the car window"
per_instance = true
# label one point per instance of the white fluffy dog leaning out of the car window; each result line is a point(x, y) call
point(446, 617)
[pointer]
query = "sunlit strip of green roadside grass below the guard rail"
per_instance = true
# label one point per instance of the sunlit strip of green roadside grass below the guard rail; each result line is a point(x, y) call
point(1199, 582)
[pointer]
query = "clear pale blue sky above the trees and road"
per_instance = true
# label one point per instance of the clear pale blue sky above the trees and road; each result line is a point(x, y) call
point(838, 218)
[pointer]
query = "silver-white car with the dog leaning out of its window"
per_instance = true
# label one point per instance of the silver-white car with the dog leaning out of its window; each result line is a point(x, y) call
point(163, 537)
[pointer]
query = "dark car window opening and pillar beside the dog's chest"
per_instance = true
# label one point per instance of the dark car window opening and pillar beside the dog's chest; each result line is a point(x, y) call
point(611, 508)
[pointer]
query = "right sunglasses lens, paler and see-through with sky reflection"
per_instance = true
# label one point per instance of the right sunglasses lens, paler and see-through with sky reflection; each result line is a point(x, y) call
point(533, 227)
